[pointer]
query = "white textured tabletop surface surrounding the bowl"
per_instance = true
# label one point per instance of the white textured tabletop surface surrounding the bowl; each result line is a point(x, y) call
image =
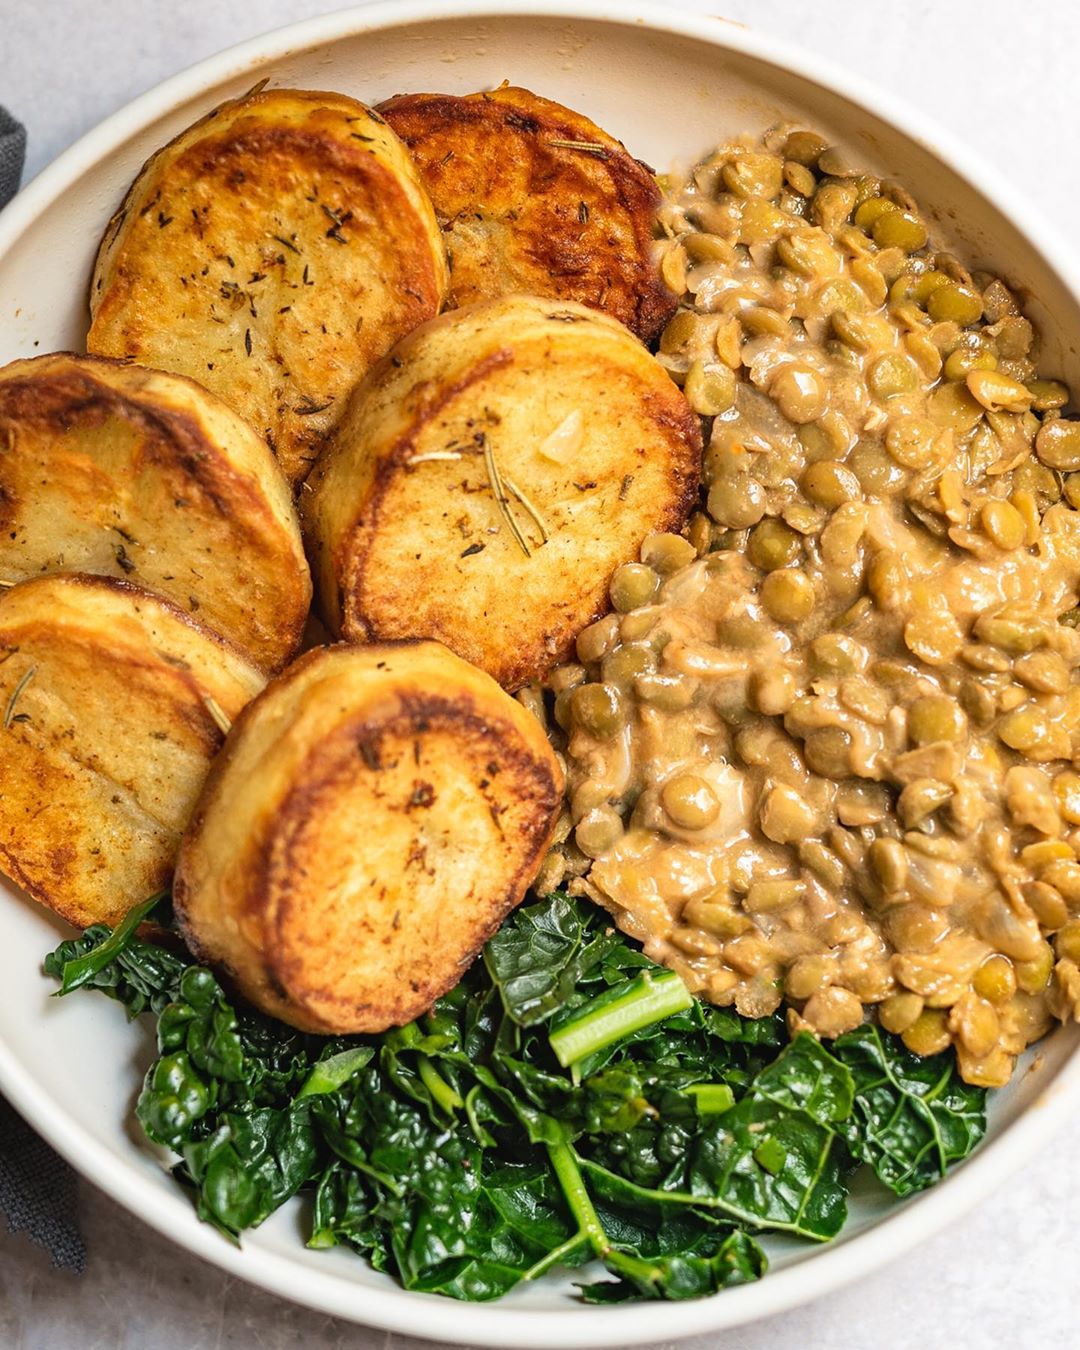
point(1002, 76)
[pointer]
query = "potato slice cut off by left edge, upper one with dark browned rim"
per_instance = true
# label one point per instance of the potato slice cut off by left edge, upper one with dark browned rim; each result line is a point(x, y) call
point(130, 473)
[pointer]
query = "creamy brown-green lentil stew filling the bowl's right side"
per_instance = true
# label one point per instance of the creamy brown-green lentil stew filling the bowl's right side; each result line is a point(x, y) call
point(823, 747)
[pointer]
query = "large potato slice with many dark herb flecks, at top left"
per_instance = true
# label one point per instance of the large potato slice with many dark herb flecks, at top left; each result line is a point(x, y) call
point(273, 252)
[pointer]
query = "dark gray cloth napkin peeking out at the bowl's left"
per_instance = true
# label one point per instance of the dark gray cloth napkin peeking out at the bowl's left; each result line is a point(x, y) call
point(37, 1187)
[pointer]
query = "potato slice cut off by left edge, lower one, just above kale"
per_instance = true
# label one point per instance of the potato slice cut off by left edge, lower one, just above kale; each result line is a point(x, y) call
point(113, 705)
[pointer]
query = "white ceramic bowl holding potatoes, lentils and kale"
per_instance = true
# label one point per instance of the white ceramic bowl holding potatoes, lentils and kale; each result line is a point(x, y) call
point(670, 86)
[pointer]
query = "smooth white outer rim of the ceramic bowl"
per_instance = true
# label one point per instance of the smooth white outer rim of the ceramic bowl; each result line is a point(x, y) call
point(500, 1325)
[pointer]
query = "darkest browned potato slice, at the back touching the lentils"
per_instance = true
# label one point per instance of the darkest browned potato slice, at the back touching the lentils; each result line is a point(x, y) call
point(537, 199)
